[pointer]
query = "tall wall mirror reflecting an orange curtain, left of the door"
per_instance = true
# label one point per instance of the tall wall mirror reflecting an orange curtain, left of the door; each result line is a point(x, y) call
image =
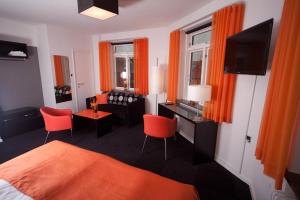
point(62, 79)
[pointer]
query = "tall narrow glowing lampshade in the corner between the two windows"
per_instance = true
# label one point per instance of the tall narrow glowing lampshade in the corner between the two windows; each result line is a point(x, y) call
point(157, 80)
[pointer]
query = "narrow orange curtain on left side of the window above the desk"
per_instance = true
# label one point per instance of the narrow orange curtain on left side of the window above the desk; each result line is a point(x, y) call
point(173, 68)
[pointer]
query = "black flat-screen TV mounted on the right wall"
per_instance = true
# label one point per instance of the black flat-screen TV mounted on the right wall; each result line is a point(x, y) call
point(247, 52)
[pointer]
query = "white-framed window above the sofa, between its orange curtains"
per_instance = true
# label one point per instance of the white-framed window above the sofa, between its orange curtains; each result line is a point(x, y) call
point(124, 67)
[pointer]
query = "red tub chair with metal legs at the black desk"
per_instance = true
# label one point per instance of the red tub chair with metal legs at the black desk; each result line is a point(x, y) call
point(159, 127)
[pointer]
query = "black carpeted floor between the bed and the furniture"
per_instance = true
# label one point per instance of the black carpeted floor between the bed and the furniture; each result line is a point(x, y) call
point(212, 180)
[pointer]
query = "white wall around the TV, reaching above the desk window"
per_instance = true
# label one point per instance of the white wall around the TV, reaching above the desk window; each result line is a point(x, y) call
point(231, 137)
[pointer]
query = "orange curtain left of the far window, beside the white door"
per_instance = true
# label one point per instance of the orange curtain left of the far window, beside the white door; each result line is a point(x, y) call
point(104, 64)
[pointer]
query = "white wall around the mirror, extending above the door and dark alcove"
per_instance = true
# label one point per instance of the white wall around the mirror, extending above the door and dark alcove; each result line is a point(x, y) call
point(49, 40)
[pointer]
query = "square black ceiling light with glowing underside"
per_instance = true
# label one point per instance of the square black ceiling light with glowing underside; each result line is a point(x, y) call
point(100, 9)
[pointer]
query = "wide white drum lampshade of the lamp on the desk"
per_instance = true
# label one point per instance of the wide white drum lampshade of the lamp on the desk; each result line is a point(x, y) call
point(200, 93)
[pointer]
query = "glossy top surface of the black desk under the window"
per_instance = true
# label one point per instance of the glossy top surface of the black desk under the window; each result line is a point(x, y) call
point(185, 113)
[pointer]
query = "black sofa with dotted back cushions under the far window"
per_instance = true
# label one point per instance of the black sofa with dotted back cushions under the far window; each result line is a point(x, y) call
point(127, 108)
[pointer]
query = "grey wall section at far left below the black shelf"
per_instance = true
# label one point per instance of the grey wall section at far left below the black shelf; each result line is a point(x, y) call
point(20, 82)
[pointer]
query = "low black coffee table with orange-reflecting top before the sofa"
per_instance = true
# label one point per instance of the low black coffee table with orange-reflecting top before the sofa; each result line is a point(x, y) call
point(102, 121)
